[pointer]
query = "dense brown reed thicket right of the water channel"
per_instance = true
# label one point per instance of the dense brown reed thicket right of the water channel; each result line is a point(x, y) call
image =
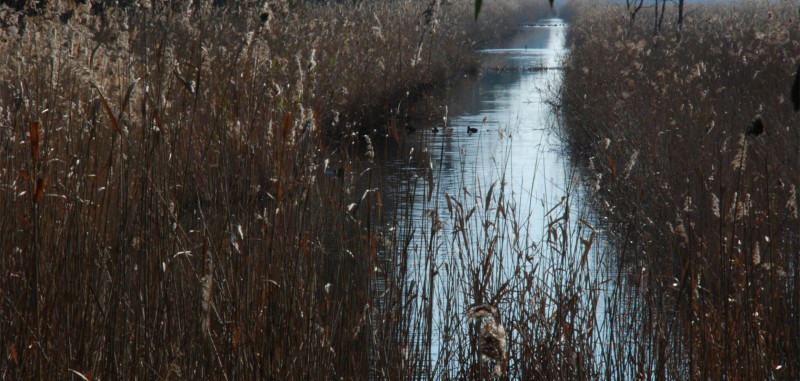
point(703, 215)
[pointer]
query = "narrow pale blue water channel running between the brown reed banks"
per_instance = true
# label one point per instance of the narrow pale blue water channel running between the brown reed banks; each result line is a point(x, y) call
point(478, 194)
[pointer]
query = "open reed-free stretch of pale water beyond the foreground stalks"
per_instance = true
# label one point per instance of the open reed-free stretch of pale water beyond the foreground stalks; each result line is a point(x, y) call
point(514, 140)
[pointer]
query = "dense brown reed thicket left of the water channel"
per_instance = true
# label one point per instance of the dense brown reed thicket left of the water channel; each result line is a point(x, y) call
point(187, 191)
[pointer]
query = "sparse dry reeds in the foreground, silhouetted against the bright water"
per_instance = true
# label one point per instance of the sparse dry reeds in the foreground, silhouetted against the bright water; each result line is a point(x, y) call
point(492, 290)
